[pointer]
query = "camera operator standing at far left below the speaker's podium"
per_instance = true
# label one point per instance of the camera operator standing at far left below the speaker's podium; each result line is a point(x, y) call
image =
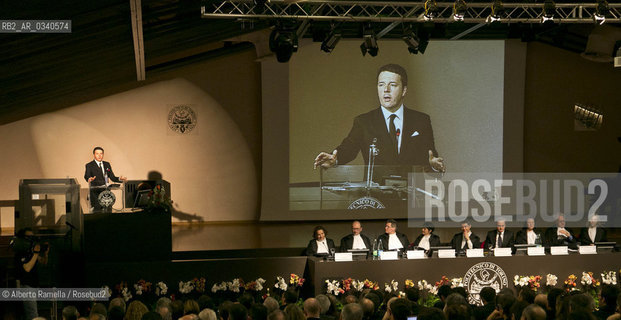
point(29, 253)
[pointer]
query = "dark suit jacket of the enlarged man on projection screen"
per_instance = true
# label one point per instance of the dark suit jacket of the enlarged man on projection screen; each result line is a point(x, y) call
point(416, 139)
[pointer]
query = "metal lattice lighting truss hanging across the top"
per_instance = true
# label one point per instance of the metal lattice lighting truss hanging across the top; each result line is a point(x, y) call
point(392, 11)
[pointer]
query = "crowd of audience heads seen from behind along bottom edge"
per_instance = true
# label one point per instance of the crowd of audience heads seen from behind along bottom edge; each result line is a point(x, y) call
point(453, 304)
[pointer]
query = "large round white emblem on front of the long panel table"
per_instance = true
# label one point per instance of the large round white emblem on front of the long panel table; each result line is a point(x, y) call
point(481, 275)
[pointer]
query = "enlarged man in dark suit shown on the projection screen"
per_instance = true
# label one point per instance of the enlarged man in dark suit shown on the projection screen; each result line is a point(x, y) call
point(403, 136)
